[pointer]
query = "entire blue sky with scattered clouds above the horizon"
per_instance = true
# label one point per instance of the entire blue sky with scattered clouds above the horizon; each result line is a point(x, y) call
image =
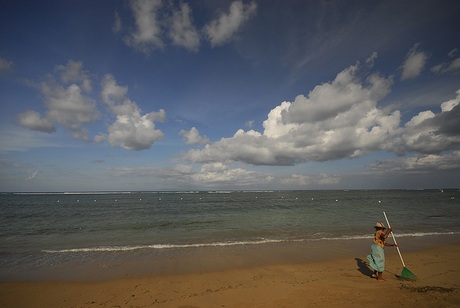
point(154, 95)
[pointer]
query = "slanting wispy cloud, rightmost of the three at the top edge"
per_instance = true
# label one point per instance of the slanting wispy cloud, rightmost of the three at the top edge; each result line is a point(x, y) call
point(222, 29)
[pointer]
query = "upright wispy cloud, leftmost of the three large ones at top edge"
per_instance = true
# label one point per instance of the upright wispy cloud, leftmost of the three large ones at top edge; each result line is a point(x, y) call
point(147, 36)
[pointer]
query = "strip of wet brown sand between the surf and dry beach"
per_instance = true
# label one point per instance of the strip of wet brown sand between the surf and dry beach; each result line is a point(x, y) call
point(96, 267)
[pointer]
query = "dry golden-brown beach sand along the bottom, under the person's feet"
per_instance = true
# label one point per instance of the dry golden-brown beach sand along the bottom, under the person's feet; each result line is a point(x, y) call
point(336, 281)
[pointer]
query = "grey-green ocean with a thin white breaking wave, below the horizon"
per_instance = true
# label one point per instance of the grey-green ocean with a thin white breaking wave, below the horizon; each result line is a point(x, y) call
point(49, 232)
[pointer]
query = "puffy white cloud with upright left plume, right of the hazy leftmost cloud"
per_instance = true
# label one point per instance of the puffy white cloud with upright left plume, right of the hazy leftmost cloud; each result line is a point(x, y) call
point(131, 130)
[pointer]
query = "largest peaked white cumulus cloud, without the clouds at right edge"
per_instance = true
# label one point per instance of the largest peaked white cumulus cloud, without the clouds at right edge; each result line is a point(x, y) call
point(336, 120)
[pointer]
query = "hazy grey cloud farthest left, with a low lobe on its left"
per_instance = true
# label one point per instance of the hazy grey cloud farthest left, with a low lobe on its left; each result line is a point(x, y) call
point(66, 101)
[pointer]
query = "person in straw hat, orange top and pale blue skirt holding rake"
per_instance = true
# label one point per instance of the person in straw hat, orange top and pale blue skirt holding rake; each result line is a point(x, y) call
point(377, 256)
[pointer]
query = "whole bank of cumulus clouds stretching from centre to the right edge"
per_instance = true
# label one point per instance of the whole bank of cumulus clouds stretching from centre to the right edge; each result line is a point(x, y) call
point(336, 120)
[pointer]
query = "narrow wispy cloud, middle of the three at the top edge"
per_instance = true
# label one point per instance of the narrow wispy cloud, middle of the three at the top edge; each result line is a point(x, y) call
point(183, 32)
